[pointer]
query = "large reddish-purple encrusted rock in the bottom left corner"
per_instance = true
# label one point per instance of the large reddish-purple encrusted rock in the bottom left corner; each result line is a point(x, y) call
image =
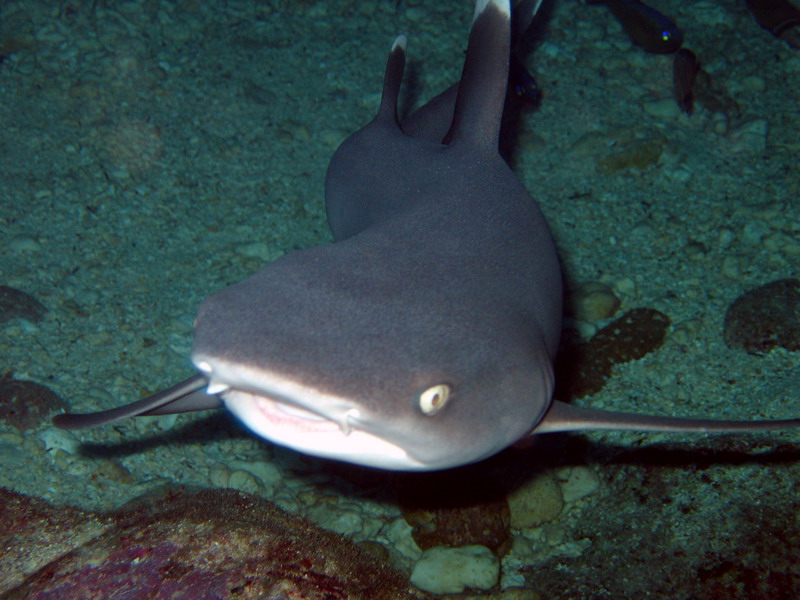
point(183, 545)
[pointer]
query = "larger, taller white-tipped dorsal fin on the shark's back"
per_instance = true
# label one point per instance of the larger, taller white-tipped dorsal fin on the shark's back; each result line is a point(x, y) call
point(482, 88)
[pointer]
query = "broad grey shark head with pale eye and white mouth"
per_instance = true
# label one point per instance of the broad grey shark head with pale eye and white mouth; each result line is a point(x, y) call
point(311, 356)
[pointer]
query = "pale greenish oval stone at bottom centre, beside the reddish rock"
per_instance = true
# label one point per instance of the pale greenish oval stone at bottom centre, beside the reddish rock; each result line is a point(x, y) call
point(443, 570)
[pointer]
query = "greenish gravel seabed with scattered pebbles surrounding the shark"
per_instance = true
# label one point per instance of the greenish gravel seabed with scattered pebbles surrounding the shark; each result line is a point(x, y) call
point(153, 152)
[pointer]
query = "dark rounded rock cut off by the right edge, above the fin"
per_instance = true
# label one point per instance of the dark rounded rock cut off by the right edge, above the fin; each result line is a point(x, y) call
point(765, 317)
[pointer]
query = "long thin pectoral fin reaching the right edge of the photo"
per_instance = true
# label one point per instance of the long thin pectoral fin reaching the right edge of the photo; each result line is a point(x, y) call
point(565, 417)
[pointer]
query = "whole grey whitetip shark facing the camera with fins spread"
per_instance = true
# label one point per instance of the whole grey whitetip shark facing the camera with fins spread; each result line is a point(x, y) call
point(423, 338)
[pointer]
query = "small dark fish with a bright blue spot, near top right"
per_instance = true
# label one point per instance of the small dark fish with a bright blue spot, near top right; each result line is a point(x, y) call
point(647, 27)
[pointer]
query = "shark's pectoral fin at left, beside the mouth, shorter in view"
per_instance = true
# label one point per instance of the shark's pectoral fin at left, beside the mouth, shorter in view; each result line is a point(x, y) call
point(186, 396)
